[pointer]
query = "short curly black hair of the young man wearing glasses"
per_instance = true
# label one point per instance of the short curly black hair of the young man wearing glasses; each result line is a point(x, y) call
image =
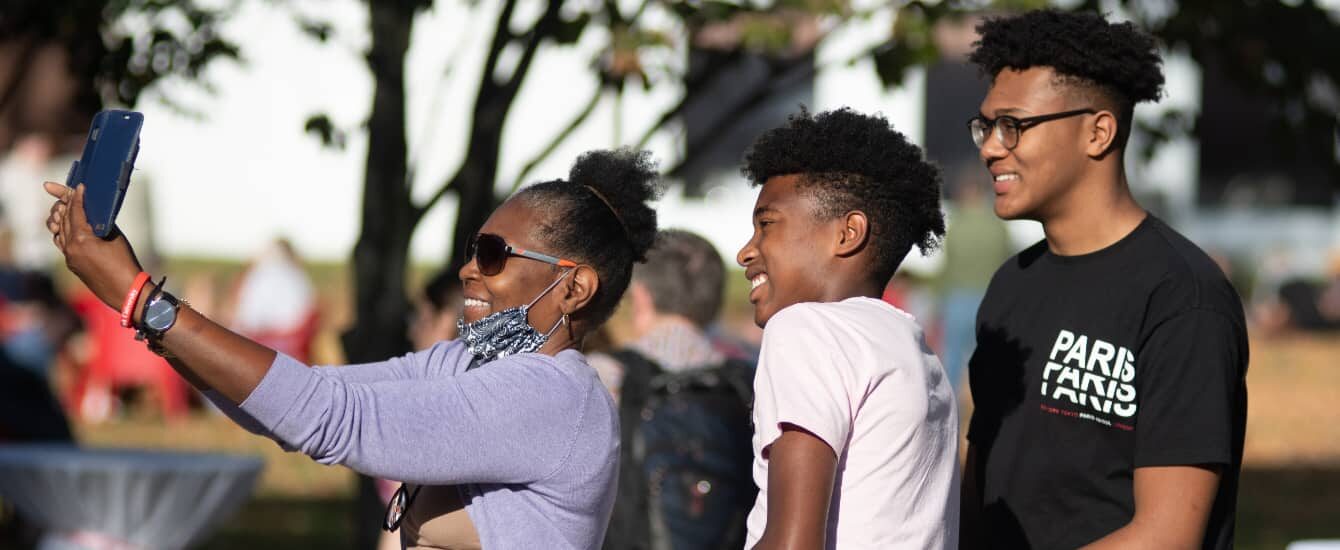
point(1118, 58)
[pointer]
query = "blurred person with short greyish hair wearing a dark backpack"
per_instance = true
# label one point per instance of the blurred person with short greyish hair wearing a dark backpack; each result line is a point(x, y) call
point(684, 408)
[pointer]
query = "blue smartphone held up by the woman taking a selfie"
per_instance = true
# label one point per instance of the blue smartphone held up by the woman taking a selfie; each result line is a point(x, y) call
point(105, 166)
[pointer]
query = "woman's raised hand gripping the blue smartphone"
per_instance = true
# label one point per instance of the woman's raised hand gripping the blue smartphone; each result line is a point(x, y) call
point(108, 268)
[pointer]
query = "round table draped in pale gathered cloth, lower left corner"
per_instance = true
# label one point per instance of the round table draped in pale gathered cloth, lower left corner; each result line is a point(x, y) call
point(123, 500)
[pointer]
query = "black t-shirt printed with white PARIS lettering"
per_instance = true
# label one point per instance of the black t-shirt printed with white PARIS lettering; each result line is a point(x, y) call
point(1091, 367)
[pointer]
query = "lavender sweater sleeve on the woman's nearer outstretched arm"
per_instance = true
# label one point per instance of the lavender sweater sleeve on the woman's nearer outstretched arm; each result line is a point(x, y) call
point(513, 422)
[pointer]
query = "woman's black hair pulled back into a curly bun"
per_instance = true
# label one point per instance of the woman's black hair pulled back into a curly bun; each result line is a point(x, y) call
point(601, 217)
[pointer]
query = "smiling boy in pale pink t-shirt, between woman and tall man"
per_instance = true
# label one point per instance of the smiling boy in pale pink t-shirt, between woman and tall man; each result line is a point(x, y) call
point(856, 425)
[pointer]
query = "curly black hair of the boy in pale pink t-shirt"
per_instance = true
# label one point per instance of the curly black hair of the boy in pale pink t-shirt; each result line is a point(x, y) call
point(852, 162)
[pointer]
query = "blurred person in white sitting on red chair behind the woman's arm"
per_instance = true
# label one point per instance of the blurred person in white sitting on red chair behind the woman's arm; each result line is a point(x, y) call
point(274, 302)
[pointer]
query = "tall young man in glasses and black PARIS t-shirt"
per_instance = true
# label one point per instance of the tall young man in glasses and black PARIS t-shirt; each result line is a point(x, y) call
point(1109, 379)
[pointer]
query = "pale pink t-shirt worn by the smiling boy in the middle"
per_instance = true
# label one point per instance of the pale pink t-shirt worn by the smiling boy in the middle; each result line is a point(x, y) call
point(858, 375)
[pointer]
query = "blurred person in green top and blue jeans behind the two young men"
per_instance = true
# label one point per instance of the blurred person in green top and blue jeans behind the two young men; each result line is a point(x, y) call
point(976, 245)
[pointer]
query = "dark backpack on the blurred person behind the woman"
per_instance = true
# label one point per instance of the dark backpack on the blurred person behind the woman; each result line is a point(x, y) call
point(687, 459)
